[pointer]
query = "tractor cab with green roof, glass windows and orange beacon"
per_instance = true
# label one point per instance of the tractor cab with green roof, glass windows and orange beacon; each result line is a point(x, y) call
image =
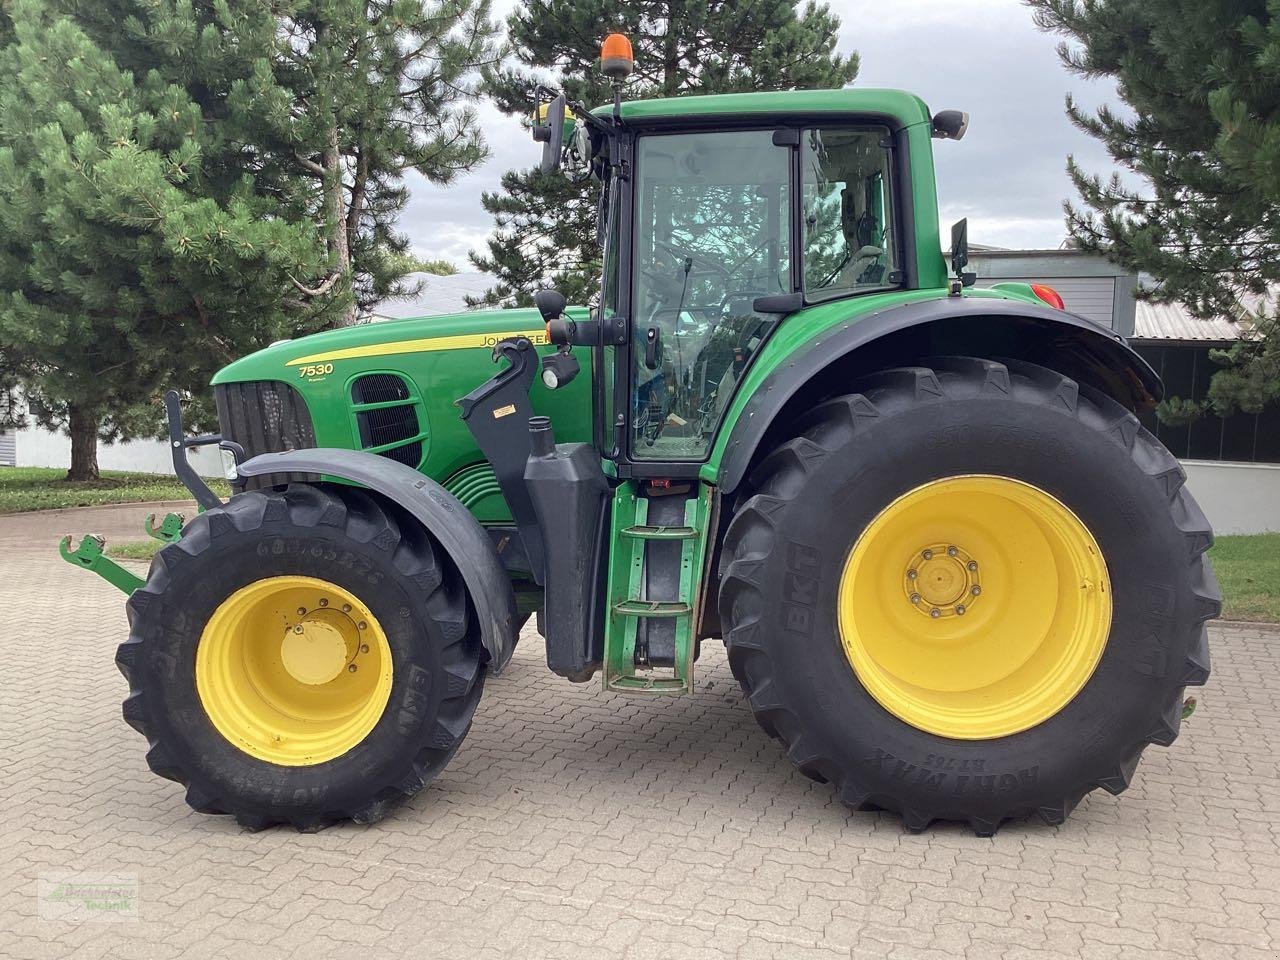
point(720, 217)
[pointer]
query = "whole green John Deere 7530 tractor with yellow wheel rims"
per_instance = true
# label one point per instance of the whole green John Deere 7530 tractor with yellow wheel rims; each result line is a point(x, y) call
point(954, 575)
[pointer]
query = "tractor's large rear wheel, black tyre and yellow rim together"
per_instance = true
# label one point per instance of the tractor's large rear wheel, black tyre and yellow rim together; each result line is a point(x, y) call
point(968, 592)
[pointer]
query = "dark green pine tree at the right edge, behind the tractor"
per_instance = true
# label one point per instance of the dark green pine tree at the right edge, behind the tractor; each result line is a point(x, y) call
point(1204, 138)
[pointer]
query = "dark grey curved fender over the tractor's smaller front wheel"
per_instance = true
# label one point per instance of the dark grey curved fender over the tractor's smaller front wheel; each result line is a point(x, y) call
point(444, 516)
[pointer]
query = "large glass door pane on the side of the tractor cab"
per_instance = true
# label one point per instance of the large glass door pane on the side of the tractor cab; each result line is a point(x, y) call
point(714, 234)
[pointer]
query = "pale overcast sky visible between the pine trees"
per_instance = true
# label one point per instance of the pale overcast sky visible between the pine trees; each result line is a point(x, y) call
point(1008, 175)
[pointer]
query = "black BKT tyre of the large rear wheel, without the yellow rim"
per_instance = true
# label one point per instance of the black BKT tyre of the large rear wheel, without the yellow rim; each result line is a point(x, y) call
point(856, 455)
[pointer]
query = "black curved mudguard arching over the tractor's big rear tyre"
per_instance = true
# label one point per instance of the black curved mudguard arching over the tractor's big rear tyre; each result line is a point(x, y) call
point(1117, 368)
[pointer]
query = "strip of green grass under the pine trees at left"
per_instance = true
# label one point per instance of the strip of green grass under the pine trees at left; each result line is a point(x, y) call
point(45, 488)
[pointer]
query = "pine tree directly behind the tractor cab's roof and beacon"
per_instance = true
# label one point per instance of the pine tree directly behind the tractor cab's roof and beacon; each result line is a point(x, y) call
point(545, 232)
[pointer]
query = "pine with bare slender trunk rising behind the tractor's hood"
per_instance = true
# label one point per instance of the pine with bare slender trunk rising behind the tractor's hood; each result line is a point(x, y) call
point(380, 88)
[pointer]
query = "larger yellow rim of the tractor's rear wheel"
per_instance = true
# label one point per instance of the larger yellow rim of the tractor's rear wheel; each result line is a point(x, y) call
point(975, 607)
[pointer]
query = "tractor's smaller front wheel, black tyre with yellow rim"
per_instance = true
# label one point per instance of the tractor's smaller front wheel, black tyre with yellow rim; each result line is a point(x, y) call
point(301, 657)
